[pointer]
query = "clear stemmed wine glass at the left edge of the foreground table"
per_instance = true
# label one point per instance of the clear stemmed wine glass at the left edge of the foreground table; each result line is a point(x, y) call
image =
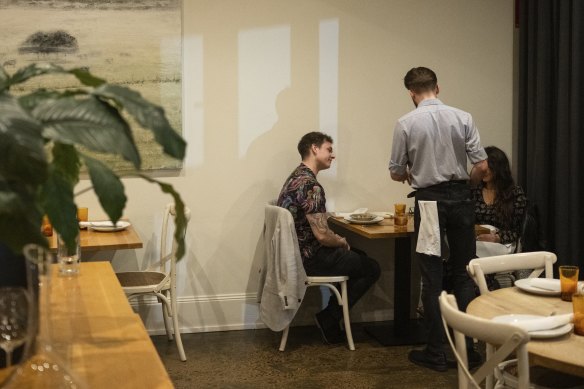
point(14, 310)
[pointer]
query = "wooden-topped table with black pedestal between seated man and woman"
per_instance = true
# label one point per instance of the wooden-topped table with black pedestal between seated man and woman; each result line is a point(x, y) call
point(403, 330)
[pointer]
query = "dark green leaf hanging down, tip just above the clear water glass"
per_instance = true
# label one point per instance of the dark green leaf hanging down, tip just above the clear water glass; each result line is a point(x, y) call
point(57, 201)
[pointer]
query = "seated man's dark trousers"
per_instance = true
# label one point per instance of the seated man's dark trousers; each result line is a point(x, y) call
point(363, 272)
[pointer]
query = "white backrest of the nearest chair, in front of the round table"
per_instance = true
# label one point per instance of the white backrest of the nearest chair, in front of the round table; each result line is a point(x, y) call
point(506, 337)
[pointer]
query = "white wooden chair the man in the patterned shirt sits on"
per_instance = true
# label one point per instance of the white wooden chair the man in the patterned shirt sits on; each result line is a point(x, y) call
point(285, 218)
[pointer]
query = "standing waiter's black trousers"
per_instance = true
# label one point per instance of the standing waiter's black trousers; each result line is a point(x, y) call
point(456, 217)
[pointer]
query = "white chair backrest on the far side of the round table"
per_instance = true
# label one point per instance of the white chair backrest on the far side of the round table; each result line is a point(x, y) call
point(538, 261)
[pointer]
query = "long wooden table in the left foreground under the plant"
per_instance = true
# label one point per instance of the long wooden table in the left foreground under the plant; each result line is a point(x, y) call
point(95, 331)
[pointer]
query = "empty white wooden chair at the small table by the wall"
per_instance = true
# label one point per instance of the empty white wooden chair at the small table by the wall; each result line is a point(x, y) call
point(160, 280)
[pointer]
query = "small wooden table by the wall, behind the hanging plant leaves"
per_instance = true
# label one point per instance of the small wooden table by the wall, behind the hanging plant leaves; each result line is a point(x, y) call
point(91, 240)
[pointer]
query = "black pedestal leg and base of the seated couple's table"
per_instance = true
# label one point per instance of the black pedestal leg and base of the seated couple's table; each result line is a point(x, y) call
point(402, 330)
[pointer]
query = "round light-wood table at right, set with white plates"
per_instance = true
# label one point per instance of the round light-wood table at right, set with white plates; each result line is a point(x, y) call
point(564, 353)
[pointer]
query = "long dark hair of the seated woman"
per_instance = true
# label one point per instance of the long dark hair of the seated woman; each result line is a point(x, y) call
point(504, 183)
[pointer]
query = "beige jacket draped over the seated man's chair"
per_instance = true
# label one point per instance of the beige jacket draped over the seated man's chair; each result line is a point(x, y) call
point(282, 276)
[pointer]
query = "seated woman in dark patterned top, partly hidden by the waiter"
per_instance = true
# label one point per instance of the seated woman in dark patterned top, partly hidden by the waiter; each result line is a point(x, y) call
point(498, 203)
